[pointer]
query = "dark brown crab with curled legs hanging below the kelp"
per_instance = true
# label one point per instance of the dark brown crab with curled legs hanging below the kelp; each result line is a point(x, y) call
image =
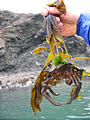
point(67, 72)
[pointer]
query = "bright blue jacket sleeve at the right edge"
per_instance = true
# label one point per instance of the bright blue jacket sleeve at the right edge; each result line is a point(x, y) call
point(83, 27)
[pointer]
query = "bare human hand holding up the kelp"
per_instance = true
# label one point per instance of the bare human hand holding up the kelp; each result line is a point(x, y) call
point(67, 23)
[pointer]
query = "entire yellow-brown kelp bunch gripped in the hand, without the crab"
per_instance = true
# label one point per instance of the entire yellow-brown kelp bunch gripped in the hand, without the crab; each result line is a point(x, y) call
point(53, 35)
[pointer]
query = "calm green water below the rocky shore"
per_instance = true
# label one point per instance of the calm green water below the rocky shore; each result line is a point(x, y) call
point(15, 105)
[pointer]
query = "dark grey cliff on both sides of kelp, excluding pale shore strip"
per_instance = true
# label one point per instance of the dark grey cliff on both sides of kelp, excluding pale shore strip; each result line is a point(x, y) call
point(20, 35)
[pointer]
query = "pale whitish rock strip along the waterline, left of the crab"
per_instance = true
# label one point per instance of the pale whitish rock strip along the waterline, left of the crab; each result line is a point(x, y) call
point(12, 81)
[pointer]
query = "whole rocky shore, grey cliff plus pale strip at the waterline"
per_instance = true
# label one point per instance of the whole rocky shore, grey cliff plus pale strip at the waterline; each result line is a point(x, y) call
point(20, 34)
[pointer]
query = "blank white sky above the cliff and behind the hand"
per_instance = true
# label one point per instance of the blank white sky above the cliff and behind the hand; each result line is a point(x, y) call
point(35, 6)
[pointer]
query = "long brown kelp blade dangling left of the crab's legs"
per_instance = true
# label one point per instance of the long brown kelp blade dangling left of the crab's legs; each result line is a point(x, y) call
point(36, 96)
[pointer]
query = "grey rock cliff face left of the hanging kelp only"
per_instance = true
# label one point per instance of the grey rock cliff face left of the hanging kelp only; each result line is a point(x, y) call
point(21, 34)
